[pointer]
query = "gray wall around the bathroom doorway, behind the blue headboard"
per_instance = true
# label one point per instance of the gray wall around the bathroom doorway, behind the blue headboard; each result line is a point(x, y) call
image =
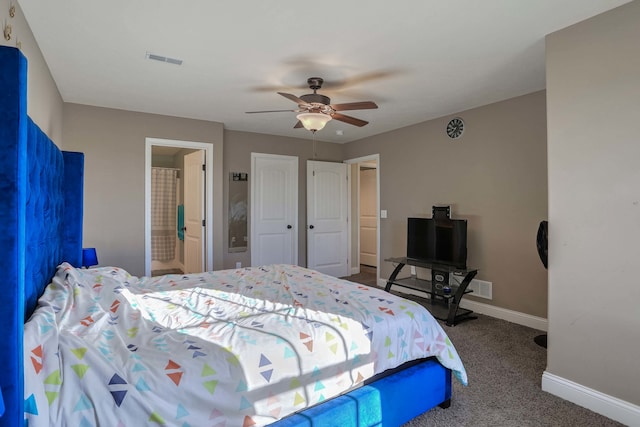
point(114, 145)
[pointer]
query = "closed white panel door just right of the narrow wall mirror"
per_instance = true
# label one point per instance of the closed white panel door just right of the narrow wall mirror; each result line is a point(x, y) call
point(274, 209)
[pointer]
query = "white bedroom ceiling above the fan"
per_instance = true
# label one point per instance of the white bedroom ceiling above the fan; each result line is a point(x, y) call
point(417, 59)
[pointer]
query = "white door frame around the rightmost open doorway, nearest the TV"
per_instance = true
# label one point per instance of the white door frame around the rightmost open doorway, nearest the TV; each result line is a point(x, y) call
point(354, 247)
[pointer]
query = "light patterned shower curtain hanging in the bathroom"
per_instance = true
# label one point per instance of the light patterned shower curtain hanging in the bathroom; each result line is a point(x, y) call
point(163, 213)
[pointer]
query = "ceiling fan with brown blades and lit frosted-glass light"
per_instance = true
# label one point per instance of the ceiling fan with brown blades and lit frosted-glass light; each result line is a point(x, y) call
point(316, 109)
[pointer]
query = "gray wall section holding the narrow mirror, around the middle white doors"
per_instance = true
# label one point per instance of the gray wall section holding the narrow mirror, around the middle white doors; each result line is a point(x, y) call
point(237, 158)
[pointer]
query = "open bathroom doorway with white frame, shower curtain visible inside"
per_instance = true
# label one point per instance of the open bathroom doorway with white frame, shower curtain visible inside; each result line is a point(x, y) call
point(170, 241)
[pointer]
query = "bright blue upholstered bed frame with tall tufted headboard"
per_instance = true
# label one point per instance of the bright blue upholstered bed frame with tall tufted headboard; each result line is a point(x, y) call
point(41, 204)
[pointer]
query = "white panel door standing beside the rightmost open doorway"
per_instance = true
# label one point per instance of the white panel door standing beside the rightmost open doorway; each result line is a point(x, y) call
point(327, 214)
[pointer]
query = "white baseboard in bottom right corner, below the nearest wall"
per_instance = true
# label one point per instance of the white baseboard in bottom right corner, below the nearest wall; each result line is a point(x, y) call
point(611, 407)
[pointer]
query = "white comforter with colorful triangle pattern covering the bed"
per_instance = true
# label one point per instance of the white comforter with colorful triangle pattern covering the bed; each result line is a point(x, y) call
point(228, 348)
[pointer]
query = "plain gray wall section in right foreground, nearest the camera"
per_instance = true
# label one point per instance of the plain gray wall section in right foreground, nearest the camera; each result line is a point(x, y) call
point(593, 93)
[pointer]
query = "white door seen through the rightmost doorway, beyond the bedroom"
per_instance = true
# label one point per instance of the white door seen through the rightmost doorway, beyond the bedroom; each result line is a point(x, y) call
point(368, 217)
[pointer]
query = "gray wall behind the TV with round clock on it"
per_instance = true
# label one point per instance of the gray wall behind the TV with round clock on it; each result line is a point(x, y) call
point(495, 176)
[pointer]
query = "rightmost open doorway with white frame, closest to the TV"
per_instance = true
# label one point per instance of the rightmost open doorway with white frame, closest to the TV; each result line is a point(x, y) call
point(365, 223)
